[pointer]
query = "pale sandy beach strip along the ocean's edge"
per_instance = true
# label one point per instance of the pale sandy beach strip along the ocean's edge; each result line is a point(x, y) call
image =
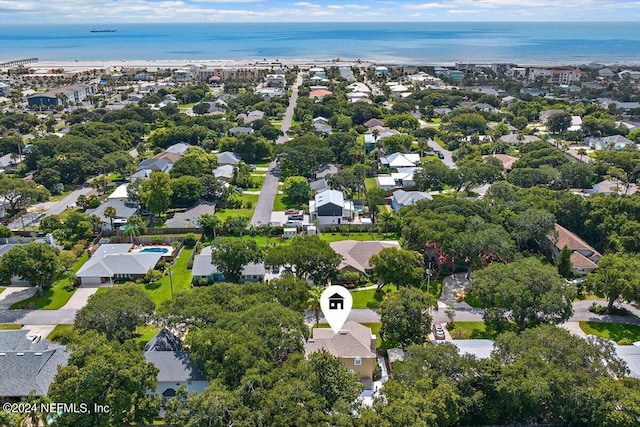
point(155, 64)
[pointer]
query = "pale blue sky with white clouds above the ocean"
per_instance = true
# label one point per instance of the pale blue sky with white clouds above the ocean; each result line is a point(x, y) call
point(139, 11)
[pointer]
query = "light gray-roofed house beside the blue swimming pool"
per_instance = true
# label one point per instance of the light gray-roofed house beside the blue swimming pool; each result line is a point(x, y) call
point(115, 261)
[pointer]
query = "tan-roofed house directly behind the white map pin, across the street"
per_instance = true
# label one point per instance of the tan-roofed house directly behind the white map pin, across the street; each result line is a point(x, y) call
point(356, 254)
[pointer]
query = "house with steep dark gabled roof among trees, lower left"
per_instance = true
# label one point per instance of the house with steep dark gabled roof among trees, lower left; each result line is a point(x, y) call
point(175, 368)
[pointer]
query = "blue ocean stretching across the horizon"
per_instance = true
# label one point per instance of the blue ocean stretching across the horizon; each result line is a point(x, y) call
point(406, 43)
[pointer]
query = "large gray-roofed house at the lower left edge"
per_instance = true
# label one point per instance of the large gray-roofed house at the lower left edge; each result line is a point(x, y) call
point(27, 364)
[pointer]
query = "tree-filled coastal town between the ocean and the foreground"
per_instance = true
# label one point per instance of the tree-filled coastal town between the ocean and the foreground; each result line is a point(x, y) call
point(169, 227)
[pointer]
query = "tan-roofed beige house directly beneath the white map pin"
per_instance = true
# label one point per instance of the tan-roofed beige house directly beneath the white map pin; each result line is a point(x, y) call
point(354, 345)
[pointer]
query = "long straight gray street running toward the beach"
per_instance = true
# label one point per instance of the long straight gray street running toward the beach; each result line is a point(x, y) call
point(264, 206)
